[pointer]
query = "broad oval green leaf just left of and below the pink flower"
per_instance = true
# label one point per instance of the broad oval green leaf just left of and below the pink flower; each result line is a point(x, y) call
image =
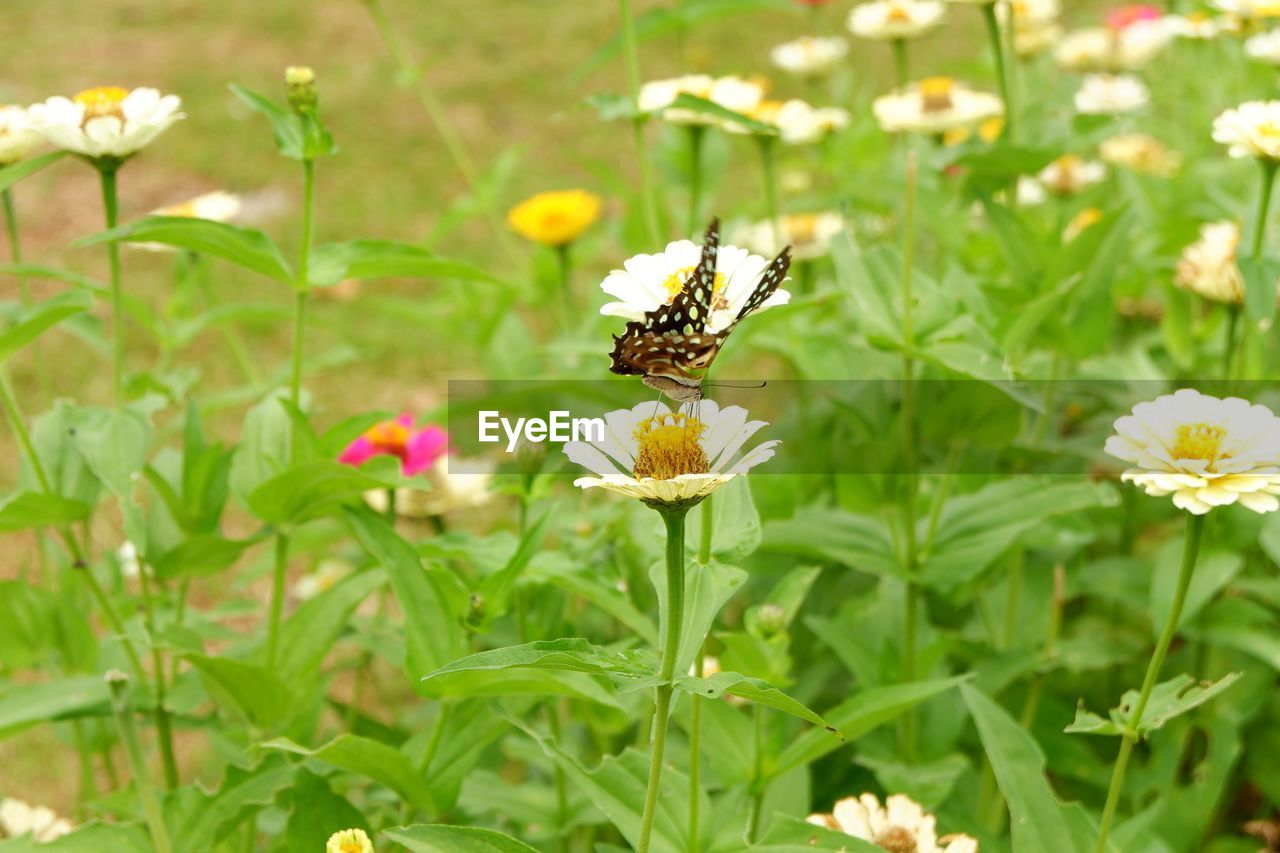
point(309, 491)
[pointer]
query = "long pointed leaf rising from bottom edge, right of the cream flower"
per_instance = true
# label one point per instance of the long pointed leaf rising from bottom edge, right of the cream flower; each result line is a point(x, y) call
point(1039, 822)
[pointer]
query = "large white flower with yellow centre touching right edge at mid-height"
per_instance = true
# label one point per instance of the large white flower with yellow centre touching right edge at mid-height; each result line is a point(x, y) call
point(1203, 450)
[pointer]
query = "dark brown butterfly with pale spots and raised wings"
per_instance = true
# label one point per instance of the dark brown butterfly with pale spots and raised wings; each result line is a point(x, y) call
point(671, 346)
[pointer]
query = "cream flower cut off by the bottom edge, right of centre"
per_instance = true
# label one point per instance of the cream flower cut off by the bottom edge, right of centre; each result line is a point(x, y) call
point(900, 825)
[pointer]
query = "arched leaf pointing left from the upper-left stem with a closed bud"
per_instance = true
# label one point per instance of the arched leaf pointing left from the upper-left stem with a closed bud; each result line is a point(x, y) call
point(245, 248)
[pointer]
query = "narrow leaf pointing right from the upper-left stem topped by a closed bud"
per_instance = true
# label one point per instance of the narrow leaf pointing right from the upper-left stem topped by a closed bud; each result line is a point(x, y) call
point(362, 259)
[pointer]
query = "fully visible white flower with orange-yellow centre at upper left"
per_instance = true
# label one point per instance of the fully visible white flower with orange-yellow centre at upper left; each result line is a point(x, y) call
point(107, 122)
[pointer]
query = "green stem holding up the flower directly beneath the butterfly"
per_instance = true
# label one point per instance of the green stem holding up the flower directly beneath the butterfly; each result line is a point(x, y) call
point(673, 626)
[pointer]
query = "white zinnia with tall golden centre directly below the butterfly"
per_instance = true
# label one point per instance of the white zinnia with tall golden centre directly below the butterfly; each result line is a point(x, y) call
point(665, 458)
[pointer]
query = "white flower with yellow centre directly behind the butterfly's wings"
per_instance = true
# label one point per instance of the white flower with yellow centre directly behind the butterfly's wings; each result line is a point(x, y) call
point(647, 282)
